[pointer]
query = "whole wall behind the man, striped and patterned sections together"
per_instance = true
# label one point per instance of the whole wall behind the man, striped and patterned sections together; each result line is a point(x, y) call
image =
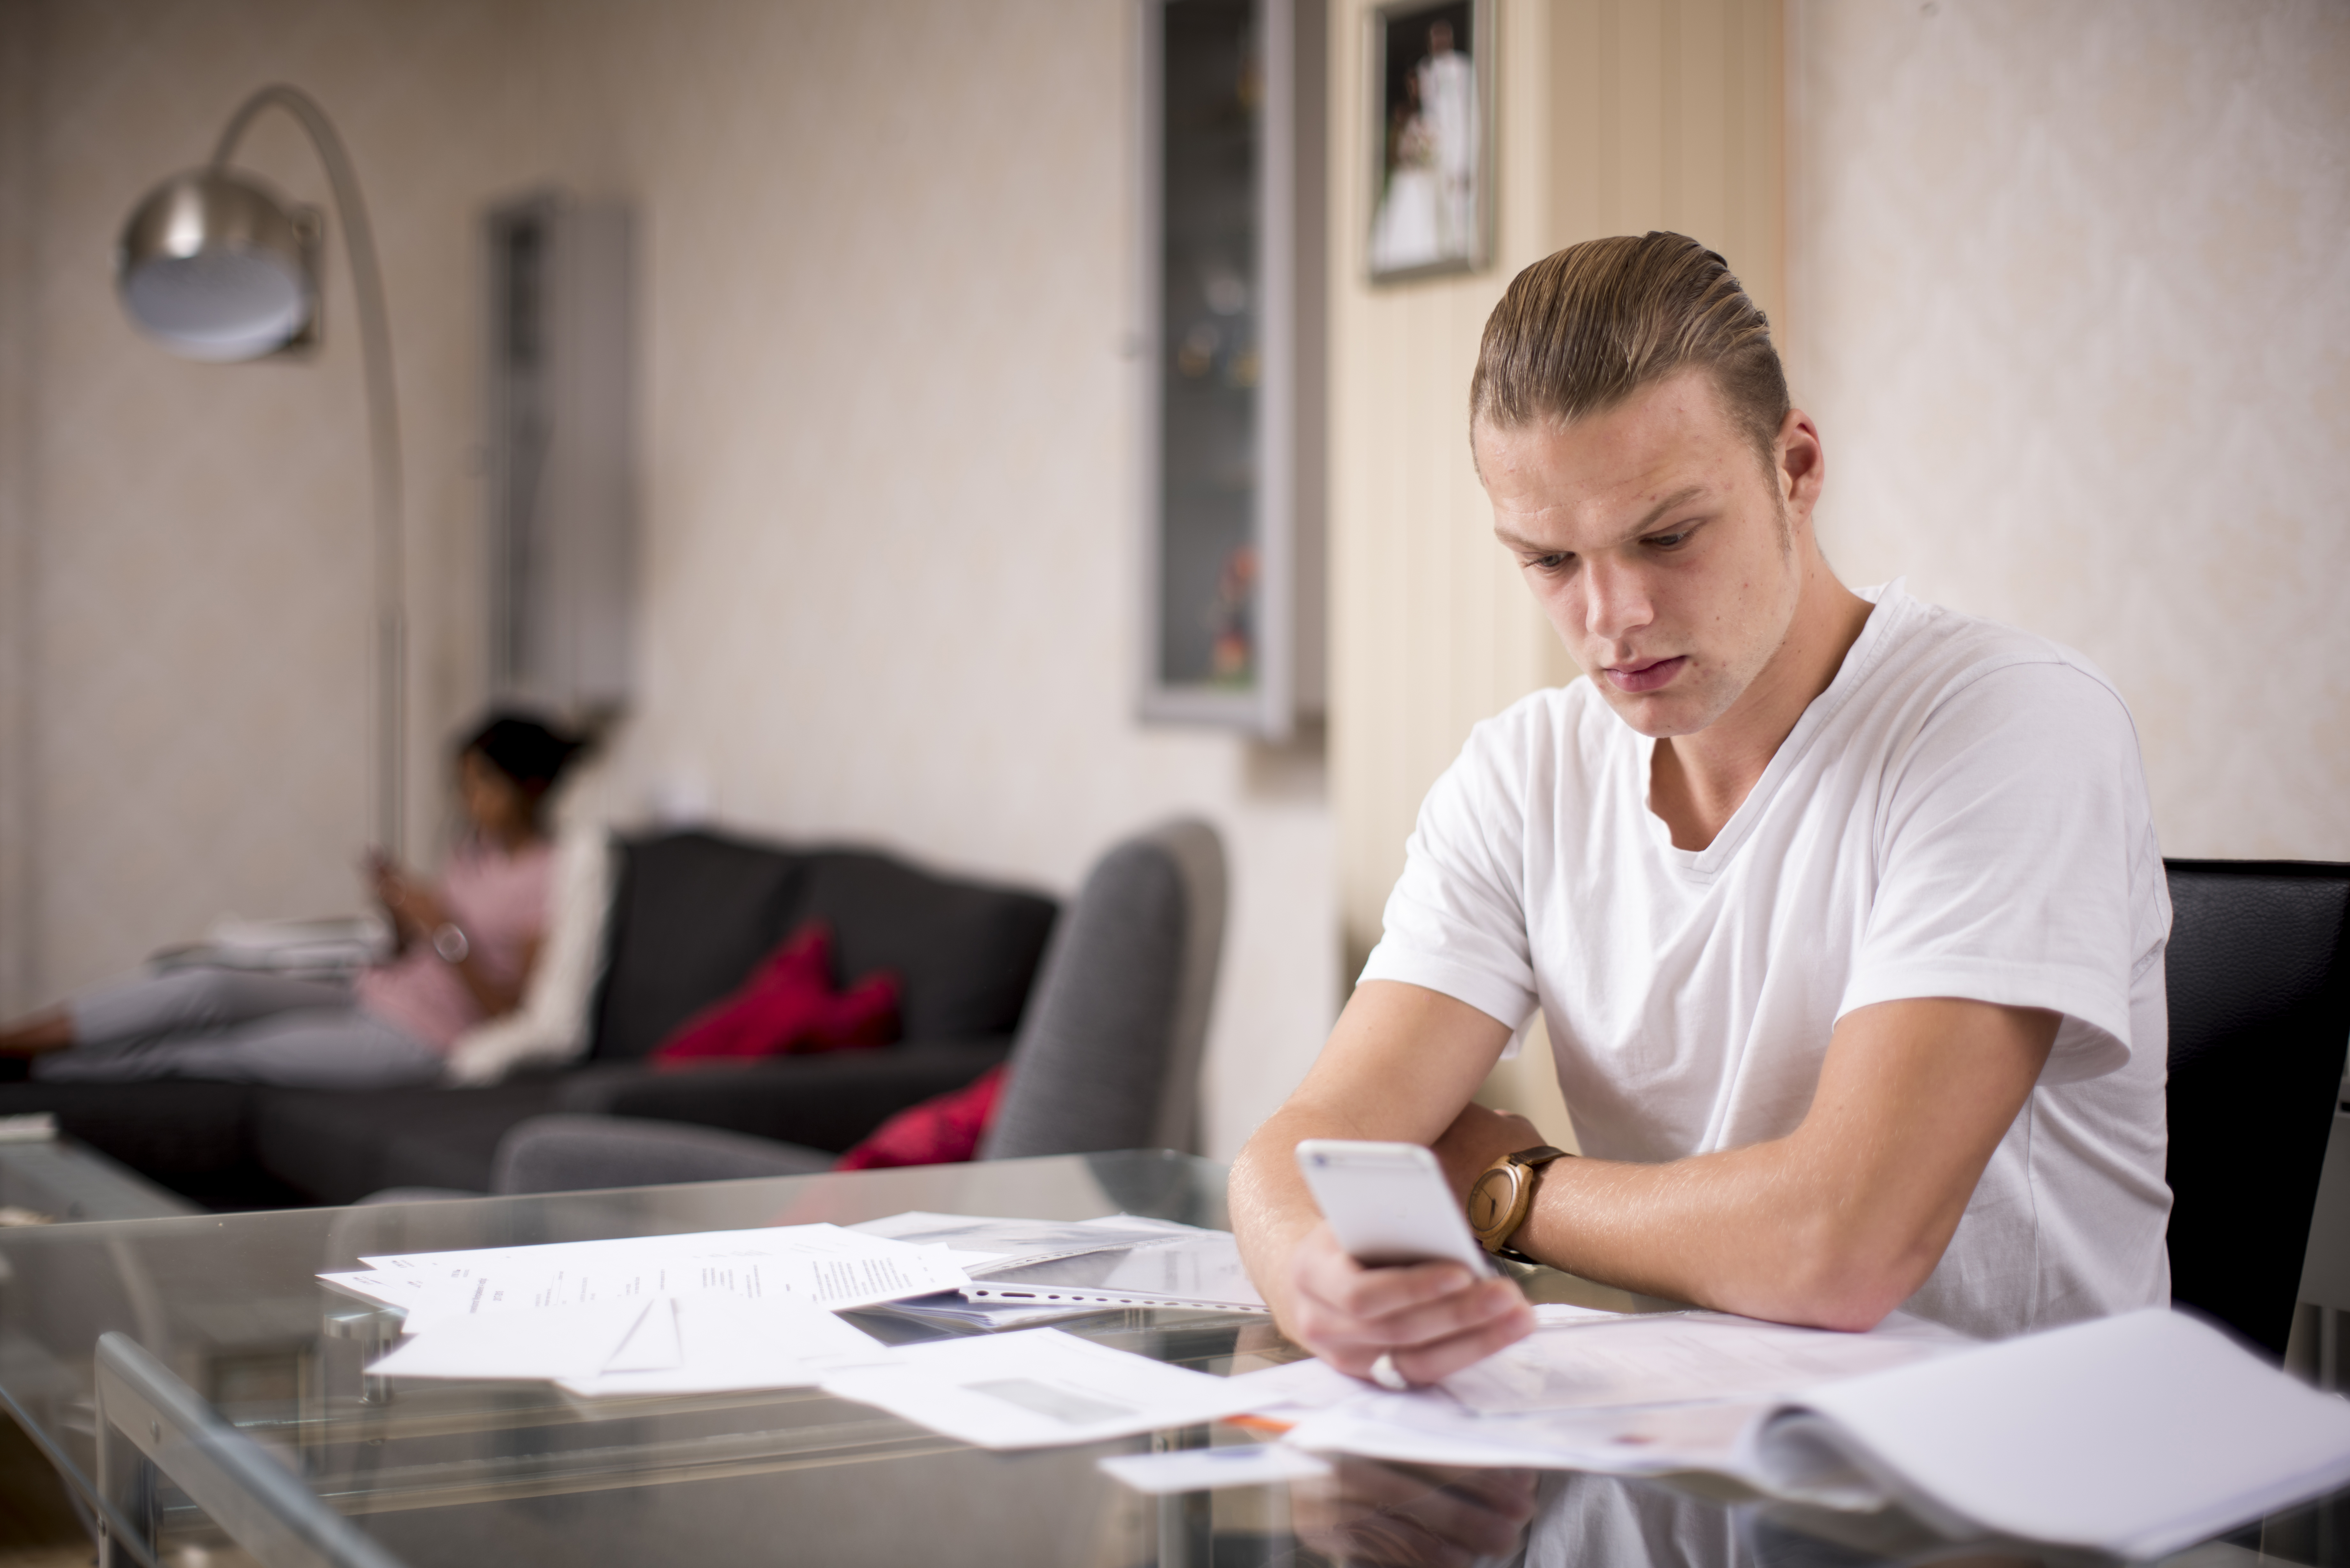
point(2069, 295)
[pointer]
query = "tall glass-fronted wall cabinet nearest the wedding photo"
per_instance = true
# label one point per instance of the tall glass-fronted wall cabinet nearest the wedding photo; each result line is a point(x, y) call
point(1233, 403)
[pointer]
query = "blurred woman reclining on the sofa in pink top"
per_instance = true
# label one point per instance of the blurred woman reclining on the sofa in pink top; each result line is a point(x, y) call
point(464, 953)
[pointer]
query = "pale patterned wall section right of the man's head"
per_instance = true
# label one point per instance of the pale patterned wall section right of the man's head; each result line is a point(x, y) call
point(2074, 314)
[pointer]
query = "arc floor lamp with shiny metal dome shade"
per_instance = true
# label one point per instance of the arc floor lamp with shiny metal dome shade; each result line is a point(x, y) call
point(215, 267)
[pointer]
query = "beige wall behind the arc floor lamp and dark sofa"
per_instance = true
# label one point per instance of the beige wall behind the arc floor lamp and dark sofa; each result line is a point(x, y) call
point(887, 448)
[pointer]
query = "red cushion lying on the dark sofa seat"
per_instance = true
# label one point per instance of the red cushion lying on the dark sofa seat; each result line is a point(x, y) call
point(788, 1005)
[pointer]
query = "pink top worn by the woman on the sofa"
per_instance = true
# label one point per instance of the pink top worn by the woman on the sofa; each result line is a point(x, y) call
point(499, 902)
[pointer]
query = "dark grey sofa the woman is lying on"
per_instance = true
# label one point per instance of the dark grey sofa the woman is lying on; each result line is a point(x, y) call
point(692, 916)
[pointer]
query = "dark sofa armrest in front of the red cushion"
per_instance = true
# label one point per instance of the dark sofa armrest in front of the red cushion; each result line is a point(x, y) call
point(821, 1101)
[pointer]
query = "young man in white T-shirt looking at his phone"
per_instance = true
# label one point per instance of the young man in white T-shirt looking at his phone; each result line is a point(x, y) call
point(1846, 913)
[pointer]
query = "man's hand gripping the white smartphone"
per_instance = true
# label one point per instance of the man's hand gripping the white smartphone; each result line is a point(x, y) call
point(1430, 1318)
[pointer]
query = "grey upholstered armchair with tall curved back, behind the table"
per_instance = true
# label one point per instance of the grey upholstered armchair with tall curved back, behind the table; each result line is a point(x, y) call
point(1106, 1057)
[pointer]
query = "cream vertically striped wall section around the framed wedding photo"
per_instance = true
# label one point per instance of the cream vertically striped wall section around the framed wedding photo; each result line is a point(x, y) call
point(1616, 116)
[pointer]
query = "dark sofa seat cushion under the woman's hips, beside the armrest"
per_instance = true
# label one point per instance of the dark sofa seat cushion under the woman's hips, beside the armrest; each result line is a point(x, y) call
point(340, 1146)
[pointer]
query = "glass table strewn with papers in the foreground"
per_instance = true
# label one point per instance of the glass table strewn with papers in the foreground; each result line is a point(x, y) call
point(201, 1391)
